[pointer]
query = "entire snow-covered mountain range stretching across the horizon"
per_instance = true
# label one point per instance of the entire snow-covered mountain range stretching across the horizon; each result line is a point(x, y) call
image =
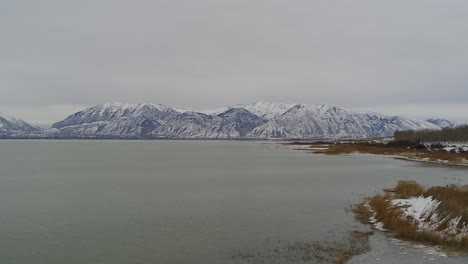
point(259, 120)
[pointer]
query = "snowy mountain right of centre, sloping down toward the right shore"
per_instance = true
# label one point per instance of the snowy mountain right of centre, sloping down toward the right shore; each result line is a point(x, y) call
point(330, 122)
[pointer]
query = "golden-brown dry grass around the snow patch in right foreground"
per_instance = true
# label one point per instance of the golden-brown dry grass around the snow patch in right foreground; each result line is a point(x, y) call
point(453, 204)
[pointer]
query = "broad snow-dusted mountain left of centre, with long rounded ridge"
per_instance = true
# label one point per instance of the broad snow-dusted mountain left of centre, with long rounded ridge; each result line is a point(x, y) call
point(155, 121)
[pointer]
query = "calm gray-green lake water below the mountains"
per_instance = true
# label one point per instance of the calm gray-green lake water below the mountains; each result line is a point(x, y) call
point(176, 202)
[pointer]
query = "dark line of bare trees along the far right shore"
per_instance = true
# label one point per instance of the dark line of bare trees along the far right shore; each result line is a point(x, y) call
point(458, 134)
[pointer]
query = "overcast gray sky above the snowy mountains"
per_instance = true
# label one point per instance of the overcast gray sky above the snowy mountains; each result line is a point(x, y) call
point(407, 57)
